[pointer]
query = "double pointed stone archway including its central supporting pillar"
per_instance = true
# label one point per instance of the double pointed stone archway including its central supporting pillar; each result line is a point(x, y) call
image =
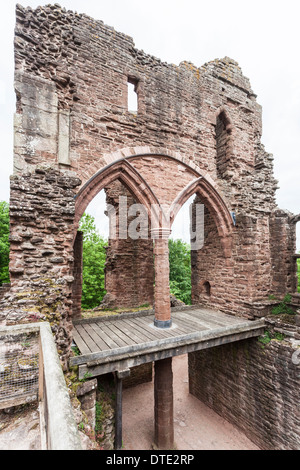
point(158, 180)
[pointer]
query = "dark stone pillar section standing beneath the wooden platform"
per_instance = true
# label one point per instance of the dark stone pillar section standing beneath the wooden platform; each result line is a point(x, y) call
point(163, 405)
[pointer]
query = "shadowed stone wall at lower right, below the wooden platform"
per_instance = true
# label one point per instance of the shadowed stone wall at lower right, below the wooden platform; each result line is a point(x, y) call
point(253, 385)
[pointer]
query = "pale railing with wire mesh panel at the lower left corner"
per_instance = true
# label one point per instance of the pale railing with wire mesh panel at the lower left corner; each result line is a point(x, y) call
point(30, 370)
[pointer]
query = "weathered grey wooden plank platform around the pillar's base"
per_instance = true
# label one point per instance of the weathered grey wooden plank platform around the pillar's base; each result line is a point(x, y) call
point(119, 342)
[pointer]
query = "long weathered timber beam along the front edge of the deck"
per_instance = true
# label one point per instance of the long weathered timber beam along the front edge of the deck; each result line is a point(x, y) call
point(106, 356)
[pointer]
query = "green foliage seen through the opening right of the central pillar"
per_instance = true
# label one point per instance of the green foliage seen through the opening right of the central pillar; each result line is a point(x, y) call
point(180, 270)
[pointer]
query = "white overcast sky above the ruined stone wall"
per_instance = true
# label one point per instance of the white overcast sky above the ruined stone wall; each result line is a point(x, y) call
point(263, 36)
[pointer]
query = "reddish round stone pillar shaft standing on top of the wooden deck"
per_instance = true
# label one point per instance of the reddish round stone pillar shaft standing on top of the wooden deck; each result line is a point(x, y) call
point(162, 285)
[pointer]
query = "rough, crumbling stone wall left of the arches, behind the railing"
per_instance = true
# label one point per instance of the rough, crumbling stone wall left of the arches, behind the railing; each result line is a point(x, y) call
point(42, 212)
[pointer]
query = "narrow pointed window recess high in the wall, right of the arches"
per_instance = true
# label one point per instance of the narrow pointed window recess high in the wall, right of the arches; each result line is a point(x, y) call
point(223, 135)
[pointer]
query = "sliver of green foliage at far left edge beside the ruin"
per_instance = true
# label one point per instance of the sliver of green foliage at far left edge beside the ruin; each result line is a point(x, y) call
point(4, 242)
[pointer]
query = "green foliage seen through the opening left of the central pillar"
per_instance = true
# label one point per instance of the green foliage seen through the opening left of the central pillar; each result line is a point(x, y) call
point(94, 255)
